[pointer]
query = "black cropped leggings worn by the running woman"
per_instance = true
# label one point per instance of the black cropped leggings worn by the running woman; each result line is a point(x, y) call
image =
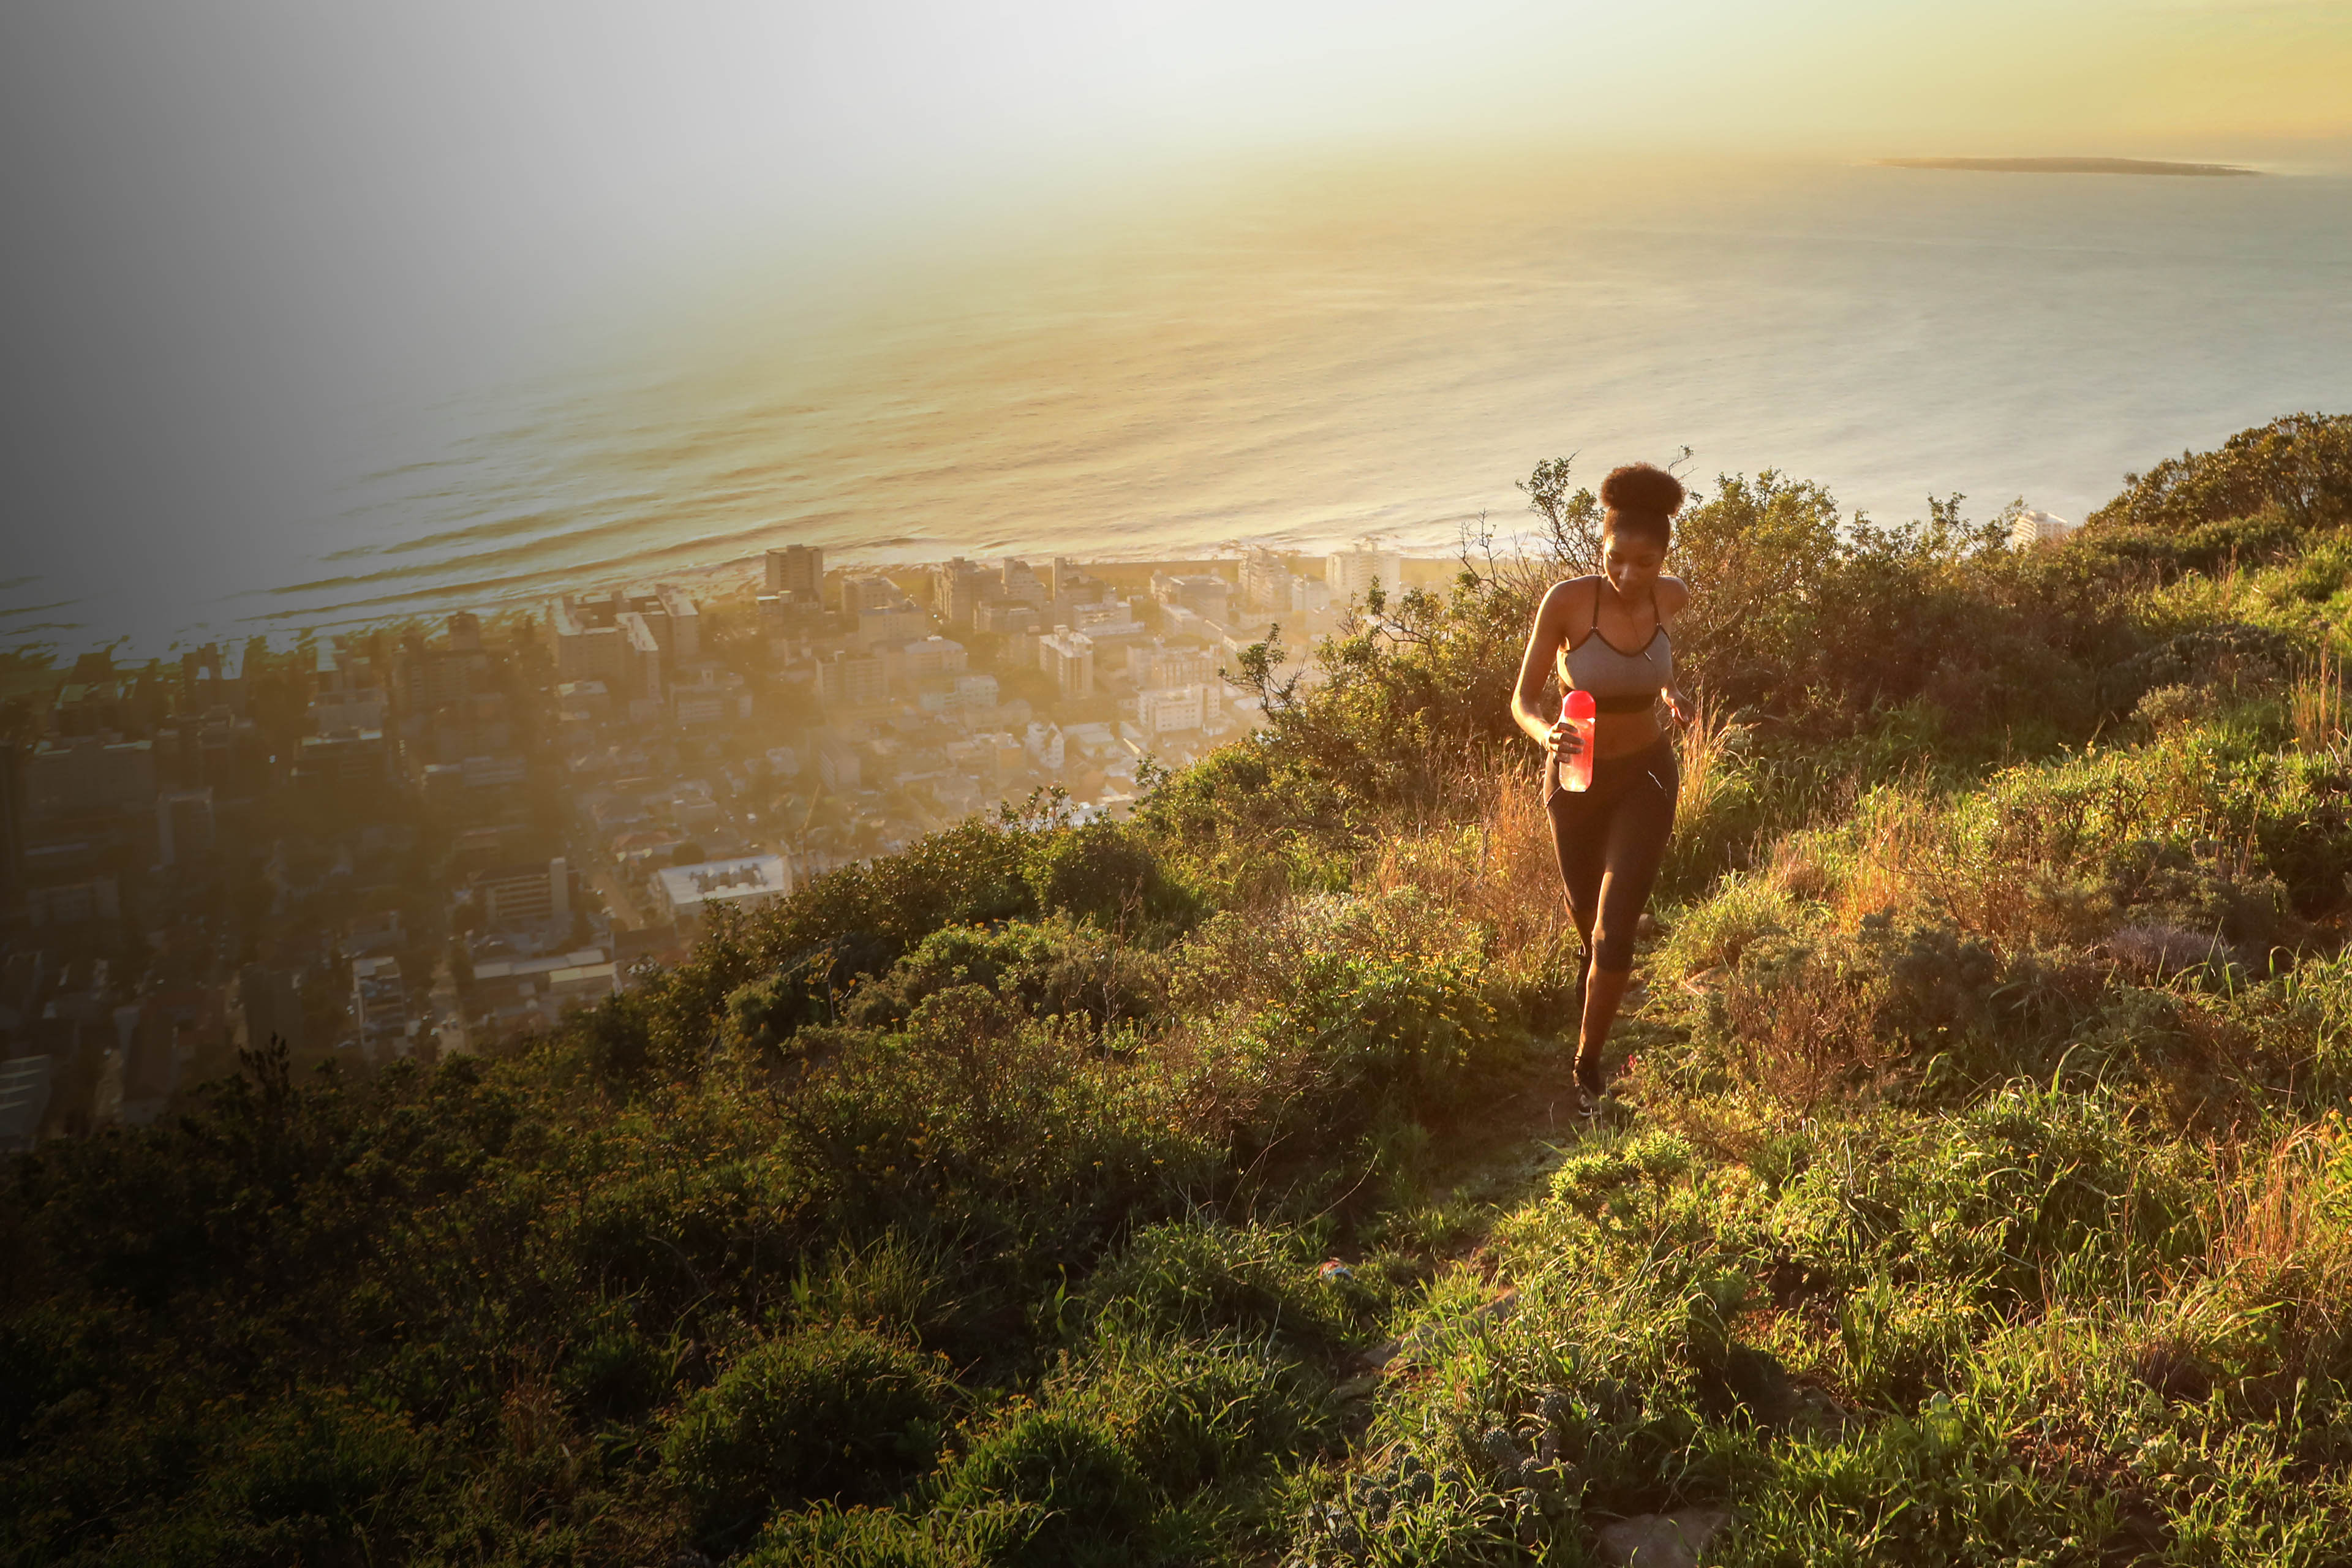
point(1612, 840)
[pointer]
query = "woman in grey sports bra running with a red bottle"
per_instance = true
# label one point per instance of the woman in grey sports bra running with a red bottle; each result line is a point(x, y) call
point(1608, 636)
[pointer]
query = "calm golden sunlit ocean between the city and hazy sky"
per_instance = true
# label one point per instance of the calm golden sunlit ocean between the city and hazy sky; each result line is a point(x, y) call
point(1321, 356)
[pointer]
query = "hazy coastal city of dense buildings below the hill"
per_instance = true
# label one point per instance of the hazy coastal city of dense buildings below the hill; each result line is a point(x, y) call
point(427, 840)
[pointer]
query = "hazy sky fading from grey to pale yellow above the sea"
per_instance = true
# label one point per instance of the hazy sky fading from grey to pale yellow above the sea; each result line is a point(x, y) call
point(241, 232)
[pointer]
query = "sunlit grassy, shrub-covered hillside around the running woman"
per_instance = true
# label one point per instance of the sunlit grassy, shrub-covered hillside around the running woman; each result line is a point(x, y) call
point(1979, 1195)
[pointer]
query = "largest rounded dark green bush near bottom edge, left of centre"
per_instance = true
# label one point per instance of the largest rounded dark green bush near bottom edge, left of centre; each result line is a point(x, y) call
point(834, 1412)
